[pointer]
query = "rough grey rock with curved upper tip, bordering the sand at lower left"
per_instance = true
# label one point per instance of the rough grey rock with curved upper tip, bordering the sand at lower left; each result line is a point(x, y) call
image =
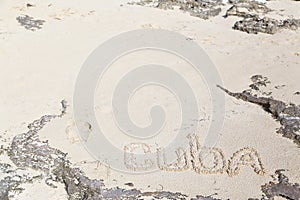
point(27, 151)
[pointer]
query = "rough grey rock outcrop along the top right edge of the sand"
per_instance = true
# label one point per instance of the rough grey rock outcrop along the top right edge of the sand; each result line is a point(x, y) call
point(253, 13)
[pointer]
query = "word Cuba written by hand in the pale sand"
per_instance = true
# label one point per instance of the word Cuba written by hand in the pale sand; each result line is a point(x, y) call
point(203, 160)
